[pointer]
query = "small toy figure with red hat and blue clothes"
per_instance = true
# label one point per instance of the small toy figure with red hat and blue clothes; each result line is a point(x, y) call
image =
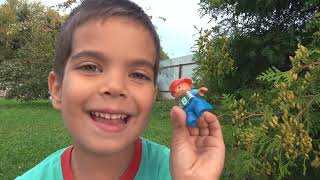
point(190, 101)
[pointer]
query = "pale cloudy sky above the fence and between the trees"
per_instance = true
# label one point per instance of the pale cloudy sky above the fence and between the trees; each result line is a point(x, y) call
point(177, 33)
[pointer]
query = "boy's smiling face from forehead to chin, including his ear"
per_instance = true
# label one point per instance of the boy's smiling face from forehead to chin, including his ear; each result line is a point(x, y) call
point(108, 88)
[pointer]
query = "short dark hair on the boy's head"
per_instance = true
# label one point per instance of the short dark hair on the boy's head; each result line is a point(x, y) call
point(95, 9)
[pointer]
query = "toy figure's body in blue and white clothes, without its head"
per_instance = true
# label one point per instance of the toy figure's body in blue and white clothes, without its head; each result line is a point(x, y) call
point(194, 106)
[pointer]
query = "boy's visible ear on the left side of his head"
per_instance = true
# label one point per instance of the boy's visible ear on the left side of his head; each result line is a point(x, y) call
point(55, 90)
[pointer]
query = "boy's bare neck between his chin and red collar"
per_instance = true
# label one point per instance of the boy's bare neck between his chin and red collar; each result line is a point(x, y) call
point(86, 165)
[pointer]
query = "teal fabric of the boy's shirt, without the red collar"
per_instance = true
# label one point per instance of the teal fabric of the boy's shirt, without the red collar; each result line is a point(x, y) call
point(154, 164)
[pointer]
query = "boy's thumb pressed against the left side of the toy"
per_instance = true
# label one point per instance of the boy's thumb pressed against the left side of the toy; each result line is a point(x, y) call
point(178, 119)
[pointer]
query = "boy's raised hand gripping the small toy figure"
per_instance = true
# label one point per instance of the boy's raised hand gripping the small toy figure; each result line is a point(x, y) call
point(196, 153)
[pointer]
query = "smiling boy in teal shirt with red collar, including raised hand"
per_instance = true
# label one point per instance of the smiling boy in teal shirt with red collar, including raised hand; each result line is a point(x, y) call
point(104, 83)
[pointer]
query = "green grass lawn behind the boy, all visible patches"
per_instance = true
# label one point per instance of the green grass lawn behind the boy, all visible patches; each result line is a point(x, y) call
point(30, 131)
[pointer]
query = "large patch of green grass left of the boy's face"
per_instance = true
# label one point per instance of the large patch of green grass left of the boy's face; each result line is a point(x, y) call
point(28, 133)
